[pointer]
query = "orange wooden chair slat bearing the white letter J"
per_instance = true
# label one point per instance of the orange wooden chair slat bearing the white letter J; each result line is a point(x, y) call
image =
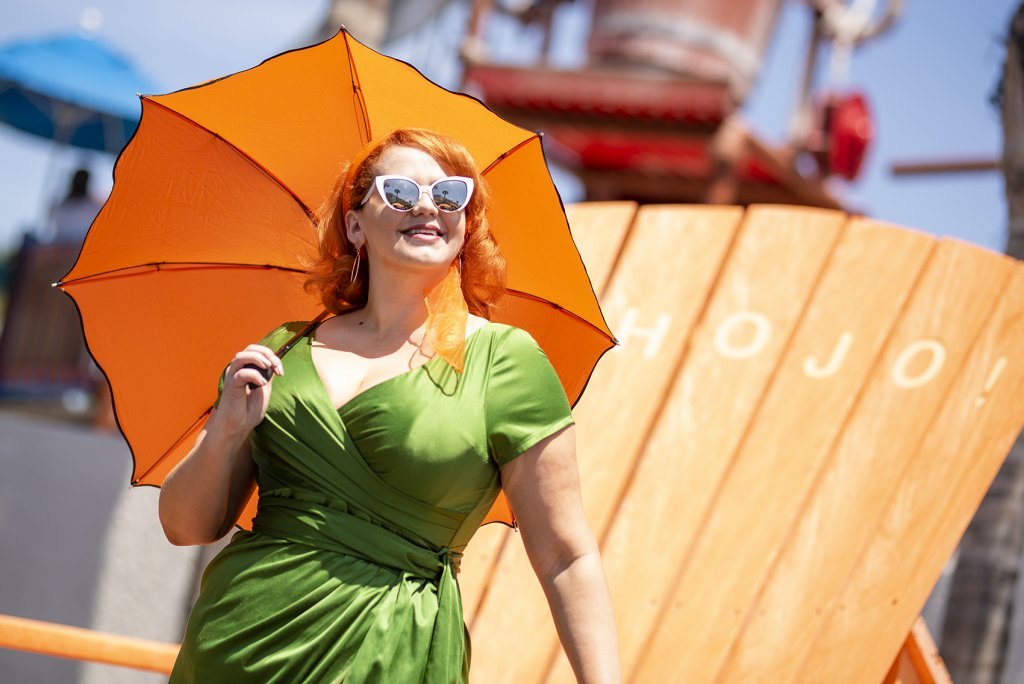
point(818, 382)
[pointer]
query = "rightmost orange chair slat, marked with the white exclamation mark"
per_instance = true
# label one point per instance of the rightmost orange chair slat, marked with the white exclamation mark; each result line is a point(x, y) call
point(945, 484)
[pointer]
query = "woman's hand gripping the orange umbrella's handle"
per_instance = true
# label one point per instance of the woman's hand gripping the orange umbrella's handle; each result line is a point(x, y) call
point(241, 409)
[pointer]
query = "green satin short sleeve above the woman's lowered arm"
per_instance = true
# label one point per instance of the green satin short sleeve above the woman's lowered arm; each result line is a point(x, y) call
point(525, 401)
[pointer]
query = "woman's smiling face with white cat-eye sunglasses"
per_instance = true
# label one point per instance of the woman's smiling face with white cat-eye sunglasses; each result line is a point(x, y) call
point(421, 239)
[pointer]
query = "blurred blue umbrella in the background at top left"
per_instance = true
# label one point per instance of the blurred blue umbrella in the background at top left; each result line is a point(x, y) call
point(71, 90)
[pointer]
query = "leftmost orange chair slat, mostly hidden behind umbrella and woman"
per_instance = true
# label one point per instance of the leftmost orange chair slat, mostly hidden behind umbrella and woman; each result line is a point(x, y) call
point(600, 230)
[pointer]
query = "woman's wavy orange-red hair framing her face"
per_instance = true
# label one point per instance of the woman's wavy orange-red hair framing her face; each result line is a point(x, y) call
point(483, 264)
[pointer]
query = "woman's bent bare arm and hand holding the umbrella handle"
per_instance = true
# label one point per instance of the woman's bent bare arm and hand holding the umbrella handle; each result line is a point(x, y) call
point(203, 496)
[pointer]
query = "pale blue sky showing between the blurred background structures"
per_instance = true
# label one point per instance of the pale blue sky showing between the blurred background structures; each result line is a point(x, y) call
point(929, 82)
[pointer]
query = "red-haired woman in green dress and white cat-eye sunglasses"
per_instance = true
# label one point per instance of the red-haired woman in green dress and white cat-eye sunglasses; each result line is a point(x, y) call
point(379, 447)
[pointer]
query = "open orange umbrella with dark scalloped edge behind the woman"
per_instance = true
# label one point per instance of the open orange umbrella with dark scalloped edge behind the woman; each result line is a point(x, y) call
point(199, 250)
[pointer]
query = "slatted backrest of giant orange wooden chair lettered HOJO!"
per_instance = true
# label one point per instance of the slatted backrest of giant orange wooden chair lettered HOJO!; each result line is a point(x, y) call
point(806, 410)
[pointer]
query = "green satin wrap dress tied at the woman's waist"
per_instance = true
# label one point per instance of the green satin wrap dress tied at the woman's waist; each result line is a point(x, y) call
point(349, 574)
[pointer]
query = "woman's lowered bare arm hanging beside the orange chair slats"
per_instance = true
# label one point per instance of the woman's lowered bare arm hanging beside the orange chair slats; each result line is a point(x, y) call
point(543, 488)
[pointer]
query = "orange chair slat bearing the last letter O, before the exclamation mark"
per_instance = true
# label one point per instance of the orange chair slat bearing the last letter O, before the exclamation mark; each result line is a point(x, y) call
point(868, 464)
